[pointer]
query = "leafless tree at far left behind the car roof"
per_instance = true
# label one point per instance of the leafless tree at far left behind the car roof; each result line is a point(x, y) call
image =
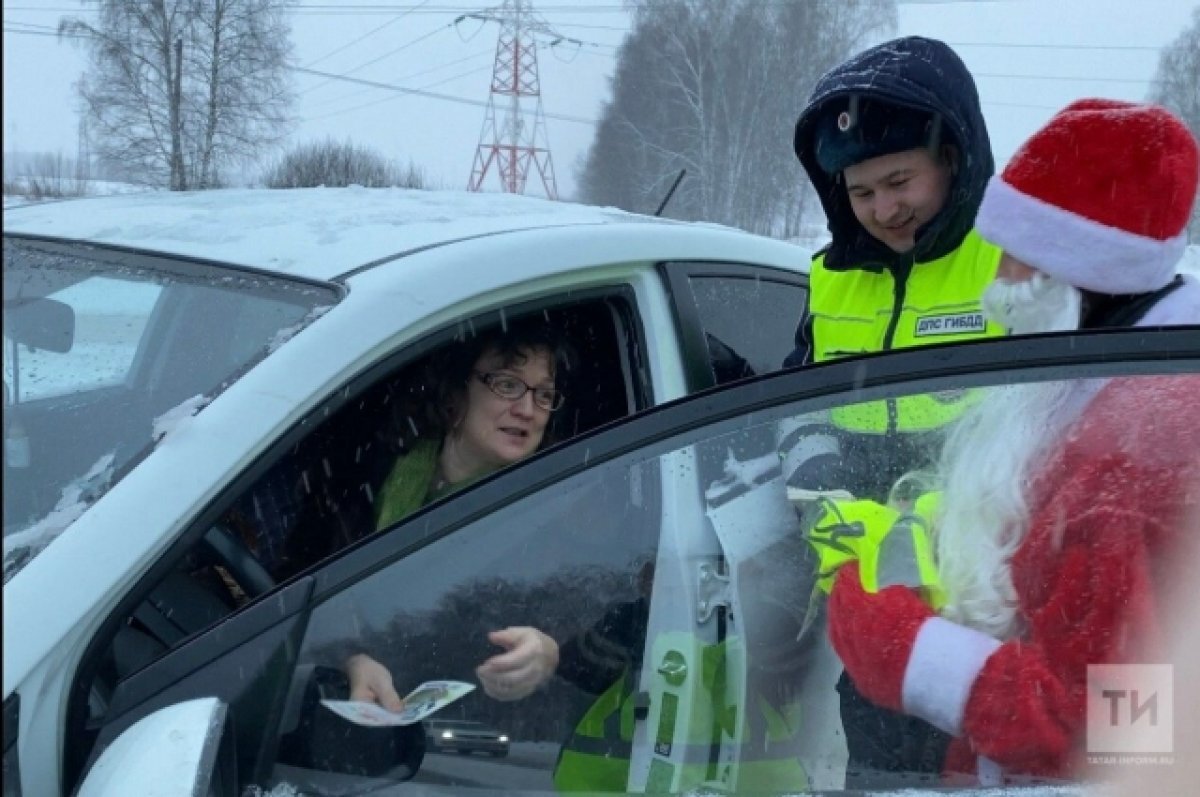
point(181, 89)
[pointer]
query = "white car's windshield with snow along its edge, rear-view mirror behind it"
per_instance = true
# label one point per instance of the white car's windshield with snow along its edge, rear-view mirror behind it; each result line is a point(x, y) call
point(104, 352)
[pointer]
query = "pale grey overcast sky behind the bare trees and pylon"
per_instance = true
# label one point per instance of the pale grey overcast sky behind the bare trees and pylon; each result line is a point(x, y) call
point(1029, 57)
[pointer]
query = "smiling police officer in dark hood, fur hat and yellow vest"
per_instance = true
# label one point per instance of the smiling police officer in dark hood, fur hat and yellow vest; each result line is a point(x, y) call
point(896, 146)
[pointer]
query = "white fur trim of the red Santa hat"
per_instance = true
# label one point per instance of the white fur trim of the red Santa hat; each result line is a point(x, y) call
point(1073, 249)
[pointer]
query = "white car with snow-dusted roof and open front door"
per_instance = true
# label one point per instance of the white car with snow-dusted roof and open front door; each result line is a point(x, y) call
point(173, 361)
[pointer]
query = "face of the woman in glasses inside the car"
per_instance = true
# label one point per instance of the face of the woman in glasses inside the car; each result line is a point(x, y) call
point(494, 432)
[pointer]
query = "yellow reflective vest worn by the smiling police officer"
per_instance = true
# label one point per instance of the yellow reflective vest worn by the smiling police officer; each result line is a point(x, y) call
point(859, 311)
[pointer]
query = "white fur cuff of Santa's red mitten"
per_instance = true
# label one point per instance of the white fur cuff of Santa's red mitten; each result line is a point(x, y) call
point(946, 660)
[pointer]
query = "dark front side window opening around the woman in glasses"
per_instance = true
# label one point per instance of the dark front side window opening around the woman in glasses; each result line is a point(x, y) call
point(325, 487)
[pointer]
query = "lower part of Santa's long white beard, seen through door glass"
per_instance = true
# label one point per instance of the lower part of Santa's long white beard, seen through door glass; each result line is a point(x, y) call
point(988, 465)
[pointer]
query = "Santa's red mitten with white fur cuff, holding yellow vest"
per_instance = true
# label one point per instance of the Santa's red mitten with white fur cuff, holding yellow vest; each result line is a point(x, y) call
point(901, 655)
